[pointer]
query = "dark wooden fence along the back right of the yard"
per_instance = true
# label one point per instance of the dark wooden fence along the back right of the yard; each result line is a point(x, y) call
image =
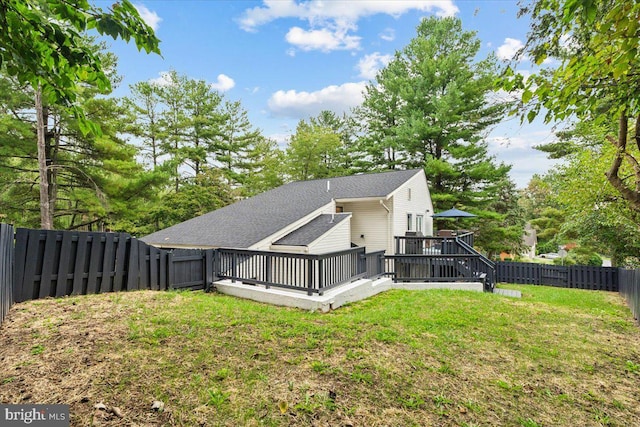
point(574, 276)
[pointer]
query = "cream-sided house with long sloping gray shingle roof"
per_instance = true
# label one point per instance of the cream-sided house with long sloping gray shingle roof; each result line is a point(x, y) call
point(315, 217)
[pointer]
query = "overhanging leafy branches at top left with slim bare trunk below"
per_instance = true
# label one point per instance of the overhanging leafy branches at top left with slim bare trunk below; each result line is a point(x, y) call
point(44, 44)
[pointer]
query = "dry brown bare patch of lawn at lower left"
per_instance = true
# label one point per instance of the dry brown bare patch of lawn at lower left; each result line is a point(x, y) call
point(57, 351)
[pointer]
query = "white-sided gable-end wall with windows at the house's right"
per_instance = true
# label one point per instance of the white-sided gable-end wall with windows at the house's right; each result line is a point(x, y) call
point(412, 198)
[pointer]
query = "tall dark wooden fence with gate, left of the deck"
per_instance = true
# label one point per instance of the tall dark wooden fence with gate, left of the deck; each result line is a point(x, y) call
point(59, 263)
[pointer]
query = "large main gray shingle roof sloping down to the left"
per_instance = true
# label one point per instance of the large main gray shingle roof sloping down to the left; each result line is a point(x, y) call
point(245, 223)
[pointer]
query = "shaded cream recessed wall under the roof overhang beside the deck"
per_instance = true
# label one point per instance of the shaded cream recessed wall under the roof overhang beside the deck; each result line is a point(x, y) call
point(370, 220)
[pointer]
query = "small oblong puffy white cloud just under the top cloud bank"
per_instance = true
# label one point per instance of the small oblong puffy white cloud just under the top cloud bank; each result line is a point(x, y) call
point(324, 39)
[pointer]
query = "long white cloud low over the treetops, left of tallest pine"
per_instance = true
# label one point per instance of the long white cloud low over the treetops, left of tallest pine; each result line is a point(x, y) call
point(301, 105)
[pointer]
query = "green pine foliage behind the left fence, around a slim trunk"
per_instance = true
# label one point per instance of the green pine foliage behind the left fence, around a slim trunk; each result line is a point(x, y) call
point(95, 181)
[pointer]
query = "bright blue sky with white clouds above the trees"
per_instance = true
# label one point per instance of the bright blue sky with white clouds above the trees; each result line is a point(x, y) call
point(287, 60)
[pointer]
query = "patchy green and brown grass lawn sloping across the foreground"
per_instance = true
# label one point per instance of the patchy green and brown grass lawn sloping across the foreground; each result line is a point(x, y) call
point(556, 357)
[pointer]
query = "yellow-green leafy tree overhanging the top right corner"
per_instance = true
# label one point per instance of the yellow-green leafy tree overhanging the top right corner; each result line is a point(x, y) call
point(595, 77)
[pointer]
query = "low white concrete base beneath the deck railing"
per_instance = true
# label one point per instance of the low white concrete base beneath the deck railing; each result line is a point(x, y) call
point(333, 298)
